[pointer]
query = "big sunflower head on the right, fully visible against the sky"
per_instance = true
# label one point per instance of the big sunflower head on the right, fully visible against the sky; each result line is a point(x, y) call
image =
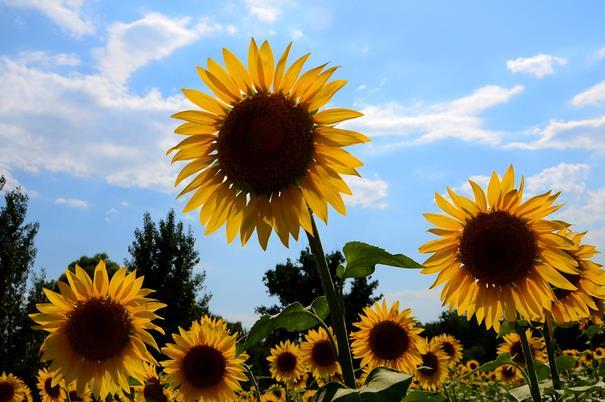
point(497, 255)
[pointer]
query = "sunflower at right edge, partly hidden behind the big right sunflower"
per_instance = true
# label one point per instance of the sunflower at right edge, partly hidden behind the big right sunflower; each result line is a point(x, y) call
point(572, 305)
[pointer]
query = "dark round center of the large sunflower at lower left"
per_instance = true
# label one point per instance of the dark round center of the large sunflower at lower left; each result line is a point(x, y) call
point(99, 328)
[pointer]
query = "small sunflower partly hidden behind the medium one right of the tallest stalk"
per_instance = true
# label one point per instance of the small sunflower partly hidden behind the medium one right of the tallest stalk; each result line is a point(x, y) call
point(432, 371)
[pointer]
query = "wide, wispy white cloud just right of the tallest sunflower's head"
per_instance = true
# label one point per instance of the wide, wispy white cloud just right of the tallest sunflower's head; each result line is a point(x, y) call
point(459, 118)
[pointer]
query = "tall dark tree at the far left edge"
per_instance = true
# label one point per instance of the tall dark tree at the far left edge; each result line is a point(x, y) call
point(17, 254)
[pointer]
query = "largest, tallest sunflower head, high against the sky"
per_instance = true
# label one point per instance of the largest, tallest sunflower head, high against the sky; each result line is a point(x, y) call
point(262, 152)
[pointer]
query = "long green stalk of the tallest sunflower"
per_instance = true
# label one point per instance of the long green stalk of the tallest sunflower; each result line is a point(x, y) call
point(336, 312)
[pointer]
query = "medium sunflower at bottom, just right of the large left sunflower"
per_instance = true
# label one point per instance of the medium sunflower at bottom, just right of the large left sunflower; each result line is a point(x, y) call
point(203, 363)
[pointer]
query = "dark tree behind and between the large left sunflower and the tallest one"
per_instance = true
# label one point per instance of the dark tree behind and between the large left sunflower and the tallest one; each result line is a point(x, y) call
point(165, 254)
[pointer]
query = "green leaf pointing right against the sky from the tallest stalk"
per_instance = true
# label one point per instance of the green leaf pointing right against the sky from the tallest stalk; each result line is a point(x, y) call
point(362, 259)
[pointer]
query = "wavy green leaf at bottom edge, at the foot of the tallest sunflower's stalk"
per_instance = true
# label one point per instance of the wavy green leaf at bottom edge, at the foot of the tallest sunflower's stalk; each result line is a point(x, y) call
point(382, 385)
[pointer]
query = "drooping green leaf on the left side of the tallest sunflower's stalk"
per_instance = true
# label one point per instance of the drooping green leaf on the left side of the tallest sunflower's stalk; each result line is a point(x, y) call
point(293, 318)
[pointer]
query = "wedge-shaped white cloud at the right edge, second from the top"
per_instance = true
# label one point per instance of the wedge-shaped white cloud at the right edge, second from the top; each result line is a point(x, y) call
point(572, 134)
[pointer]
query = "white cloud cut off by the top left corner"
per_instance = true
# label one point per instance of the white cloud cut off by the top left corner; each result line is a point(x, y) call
point(67, 14)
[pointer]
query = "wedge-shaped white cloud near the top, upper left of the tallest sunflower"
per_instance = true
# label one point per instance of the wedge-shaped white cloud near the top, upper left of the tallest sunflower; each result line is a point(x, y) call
point(153, 37)
